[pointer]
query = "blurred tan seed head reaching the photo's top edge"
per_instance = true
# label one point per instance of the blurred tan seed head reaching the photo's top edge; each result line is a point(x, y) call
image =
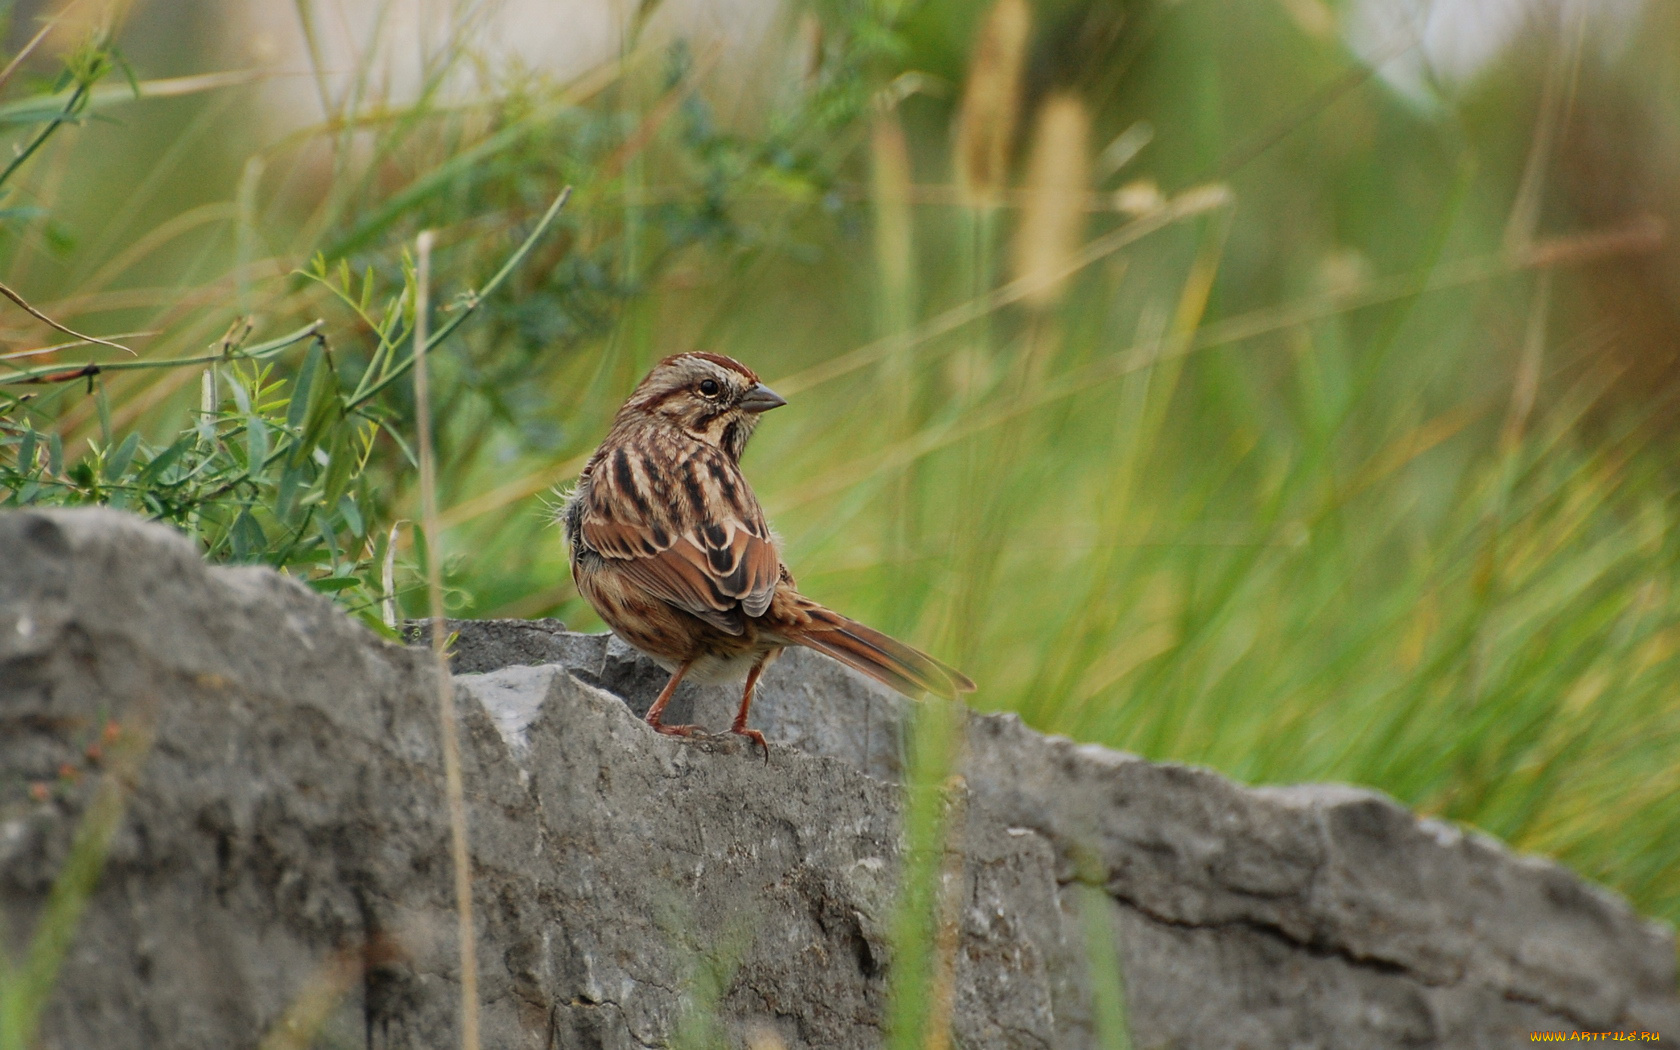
point(992, 103)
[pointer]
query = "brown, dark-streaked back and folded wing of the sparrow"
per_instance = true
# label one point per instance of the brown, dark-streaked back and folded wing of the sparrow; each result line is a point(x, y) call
point(688, 528)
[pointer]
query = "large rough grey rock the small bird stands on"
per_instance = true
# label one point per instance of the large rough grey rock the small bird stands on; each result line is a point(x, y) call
point(283, 858)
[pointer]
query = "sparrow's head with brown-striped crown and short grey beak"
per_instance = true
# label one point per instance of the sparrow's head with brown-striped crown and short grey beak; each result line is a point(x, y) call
point(710, 397)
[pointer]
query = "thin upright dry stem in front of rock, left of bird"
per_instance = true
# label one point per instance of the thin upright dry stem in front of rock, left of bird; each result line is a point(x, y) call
point(446, 691)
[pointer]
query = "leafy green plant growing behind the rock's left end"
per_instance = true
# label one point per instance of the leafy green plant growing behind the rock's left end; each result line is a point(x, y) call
point(271, 471)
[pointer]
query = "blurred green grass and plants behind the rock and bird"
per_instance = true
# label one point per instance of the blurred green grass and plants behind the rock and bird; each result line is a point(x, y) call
point(1279, 386)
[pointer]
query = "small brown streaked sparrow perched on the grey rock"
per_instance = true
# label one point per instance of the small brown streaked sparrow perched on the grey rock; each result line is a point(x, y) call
point(669, 545)
